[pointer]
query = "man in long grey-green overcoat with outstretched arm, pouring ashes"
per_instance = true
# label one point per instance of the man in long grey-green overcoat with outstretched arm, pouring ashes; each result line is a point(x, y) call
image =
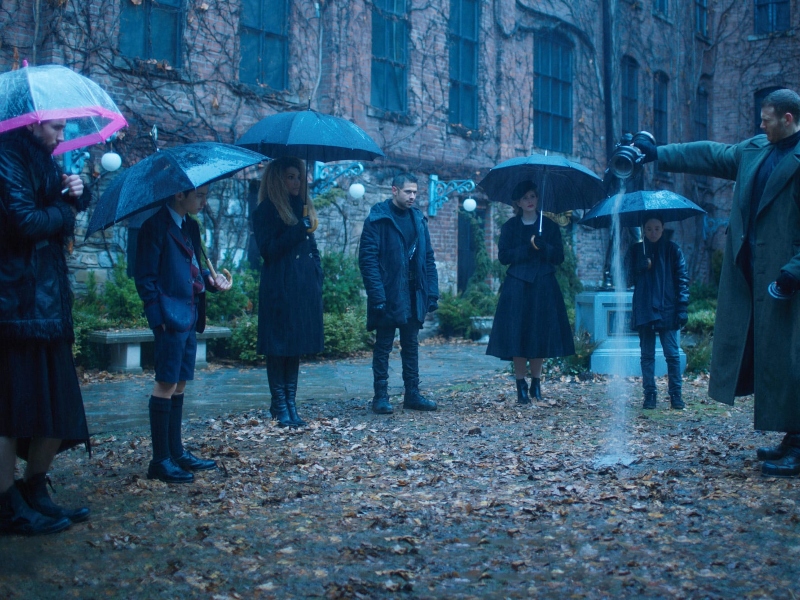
point(757, 334)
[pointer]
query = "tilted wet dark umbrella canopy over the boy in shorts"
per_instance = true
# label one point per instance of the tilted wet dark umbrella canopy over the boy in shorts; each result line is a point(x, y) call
point(165, 173)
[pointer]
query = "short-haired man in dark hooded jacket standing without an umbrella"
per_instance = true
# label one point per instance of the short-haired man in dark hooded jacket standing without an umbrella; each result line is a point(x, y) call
point(399, 271)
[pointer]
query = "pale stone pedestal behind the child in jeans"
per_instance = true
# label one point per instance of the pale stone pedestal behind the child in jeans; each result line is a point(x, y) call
point(617, 353)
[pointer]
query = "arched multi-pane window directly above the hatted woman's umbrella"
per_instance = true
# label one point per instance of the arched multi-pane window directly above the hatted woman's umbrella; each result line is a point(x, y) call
point(552, 92)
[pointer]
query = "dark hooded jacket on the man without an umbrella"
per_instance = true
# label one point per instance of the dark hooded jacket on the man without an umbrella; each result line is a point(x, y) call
point(383, 259)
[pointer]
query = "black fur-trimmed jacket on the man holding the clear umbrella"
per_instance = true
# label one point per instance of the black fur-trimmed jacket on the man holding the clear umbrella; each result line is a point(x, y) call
point(35, 223)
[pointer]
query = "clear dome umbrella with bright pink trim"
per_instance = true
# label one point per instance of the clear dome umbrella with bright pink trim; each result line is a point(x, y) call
point(35, 94)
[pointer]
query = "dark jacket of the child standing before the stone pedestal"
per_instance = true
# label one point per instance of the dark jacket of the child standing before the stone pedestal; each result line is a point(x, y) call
point(661, 292)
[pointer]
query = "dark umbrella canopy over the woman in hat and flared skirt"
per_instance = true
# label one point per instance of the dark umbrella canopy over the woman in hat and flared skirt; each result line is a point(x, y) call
point(563, 185)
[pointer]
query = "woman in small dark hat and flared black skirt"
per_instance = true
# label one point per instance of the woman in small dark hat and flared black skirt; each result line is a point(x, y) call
point(531, 322)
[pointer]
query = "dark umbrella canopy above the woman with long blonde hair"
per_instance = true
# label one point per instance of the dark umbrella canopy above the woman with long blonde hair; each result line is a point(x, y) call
point(310, 135)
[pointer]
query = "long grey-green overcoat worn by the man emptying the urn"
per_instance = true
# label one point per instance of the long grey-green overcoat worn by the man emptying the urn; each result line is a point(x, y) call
point(777, 247)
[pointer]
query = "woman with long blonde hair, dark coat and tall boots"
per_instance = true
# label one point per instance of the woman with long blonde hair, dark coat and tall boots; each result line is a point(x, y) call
point(290, 291)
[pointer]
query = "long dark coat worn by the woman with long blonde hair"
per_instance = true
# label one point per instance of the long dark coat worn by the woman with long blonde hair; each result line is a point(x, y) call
point(290, 291)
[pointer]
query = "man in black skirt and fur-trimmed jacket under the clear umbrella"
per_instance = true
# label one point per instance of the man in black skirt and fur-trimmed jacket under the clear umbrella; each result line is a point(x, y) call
point(41, 408)
